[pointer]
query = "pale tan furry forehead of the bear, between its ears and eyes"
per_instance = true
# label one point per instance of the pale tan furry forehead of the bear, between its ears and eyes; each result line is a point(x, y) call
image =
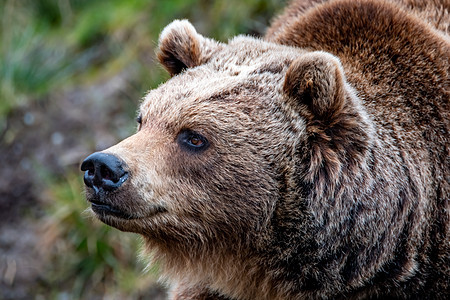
point(244, 69)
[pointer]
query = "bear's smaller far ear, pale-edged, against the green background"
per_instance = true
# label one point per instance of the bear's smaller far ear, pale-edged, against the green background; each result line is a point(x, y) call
point(181, 47)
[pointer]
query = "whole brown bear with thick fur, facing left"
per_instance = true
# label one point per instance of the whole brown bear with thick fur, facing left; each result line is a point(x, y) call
point(313, 163)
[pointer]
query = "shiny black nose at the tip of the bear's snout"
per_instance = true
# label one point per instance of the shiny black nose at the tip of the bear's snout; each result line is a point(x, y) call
point(103, 171)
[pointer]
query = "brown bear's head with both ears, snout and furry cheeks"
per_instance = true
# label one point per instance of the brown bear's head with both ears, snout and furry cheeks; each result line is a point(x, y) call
point(230, 149)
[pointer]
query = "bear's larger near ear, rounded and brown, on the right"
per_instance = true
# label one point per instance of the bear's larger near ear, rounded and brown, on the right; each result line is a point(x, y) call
point(316, 81)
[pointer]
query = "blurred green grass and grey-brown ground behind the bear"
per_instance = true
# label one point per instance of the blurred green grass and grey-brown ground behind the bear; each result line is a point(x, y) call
point(72, 73)
